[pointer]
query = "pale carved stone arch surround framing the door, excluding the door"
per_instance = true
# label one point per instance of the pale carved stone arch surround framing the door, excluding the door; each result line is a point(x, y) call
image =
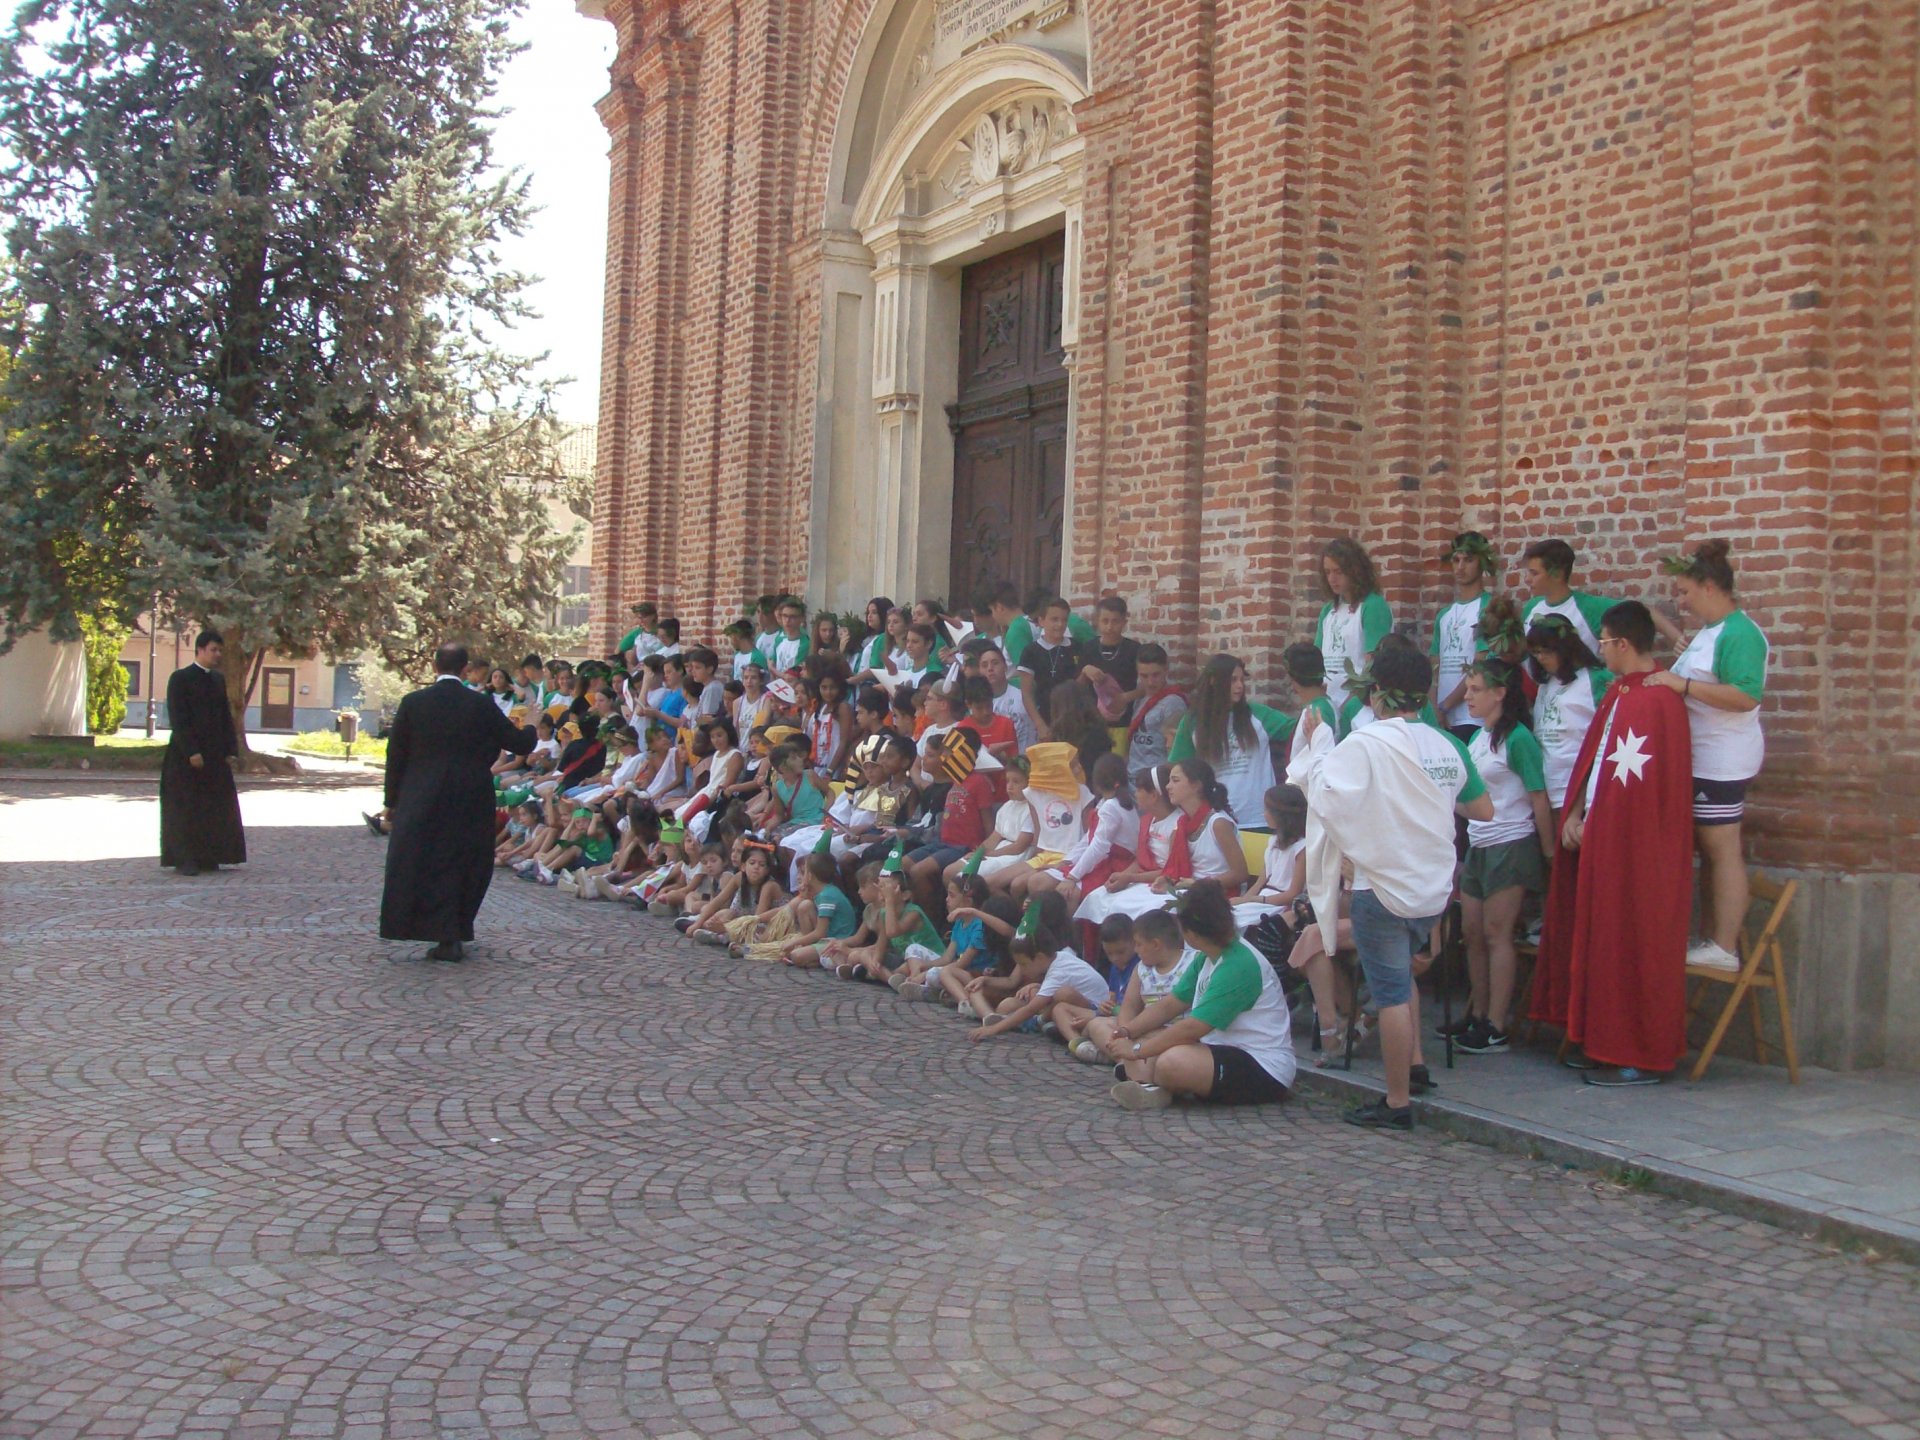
point(965, 156)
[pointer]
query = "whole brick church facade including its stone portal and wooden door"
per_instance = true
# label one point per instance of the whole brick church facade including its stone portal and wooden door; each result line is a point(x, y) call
point(1157, 297)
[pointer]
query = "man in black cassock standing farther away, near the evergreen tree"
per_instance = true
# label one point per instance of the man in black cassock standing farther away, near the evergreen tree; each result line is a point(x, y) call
point(199, 804)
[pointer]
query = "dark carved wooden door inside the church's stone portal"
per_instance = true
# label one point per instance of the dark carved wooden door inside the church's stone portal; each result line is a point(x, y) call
point(1011, 423)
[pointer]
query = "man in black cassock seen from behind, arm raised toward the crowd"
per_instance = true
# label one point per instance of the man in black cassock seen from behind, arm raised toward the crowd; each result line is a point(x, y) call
point(441, 804)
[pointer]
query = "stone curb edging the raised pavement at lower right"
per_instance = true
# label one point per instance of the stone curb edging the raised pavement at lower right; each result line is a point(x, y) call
point(1848, 1230)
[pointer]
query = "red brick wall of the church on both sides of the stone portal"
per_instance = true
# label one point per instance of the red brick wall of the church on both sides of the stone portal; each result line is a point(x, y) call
point(1621, 272)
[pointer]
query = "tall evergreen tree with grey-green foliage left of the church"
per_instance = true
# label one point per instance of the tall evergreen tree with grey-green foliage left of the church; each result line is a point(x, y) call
point(256, 279)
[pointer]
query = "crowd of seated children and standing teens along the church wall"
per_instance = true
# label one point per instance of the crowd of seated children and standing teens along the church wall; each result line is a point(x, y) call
point(1011, 792)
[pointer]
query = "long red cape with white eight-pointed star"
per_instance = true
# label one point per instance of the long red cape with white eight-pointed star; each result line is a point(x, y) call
point(1612, 965)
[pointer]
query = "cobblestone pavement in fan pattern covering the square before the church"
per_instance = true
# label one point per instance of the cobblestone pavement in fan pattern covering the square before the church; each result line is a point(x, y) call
point(266, 1176)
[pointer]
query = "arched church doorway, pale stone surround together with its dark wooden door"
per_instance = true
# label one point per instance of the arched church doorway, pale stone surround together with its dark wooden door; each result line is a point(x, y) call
point(949, 308)
